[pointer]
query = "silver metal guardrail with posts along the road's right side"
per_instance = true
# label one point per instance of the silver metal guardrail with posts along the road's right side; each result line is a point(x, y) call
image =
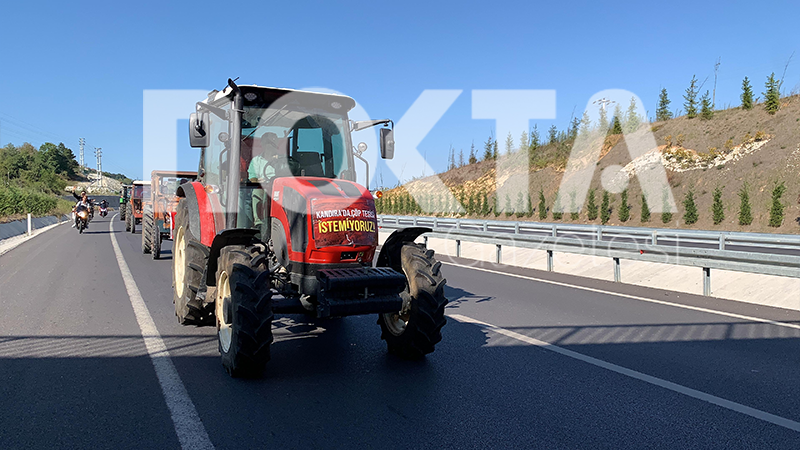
point(767, 254)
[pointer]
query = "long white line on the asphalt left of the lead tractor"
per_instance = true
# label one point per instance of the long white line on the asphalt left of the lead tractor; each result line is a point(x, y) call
point(191, 432)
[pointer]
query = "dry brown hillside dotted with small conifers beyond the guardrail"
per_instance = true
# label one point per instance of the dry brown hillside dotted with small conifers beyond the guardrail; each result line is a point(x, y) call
point(733, 149)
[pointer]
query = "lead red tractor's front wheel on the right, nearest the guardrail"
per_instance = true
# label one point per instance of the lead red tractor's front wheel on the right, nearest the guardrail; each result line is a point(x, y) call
point(413, 331)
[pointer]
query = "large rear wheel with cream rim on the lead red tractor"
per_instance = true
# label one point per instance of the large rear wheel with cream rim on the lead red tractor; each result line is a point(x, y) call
point(189, 259)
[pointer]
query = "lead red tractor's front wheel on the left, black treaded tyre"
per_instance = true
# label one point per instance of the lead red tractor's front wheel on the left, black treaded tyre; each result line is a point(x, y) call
point(243, 311)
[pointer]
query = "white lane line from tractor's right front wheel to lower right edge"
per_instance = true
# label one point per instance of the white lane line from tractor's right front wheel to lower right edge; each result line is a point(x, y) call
point(699, 395)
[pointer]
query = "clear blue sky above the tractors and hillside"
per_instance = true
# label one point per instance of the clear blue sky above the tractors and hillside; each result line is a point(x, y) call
point(79, 69)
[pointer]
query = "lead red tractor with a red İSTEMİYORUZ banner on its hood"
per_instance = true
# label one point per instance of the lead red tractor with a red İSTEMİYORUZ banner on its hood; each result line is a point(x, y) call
point(276, 224)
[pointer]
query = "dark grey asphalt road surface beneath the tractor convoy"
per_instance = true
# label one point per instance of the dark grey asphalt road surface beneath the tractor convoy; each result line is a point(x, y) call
point(565, 363)
